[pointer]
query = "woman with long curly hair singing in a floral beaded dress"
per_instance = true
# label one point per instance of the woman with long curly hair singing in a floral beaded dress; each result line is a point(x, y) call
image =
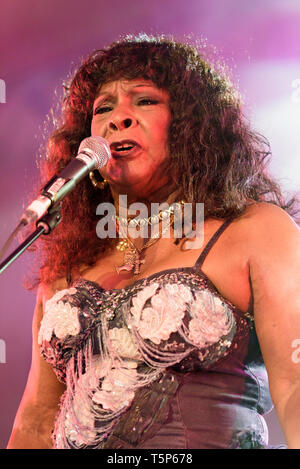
point(149, 342)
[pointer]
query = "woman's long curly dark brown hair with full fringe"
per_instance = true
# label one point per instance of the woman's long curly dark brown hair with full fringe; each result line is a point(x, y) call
point(215, 156)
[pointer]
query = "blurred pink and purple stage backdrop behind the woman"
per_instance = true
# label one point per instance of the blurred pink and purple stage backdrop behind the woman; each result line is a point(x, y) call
point(40, 42)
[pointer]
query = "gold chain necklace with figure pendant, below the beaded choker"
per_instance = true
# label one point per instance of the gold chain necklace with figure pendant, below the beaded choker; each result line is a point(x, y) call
point(132, 255)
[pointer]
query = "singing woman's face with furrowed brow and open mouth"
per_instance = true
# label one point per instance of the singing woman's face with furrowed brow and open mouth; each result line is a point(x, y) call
point(134, 117)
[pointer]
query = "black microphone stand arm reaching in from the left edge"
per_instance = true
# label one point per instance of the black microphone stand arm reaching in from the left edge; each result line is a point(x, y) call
point(43, 226)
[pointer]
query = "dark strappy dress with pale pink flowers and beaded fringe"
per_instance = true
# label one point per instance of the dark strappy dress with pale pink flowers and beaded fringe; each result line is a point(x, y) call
point(166, 362)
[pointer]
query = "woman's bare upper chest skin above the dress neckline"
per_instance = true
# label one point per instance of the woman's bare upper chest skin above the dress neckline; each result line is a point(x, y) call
point(225, 265)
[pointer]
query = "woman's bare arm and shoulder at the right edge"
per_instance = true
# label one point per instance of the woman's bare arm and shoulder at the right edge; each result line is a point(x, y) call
point(275, 275)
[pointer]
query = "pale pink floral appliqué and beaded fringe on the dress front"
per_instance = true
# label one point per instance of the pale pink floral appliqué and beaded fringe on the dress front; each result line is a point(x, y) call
point(126, 341)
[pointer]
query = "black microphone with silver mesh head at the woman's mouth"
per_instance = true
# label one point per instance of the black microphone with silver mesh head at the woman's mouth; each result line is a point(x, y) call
point(93, 153)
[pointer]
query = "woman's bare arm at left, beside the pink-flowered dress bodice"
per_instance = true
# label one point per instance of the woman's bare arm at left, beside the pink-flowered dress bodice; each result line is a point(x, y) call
point(35, 417)
